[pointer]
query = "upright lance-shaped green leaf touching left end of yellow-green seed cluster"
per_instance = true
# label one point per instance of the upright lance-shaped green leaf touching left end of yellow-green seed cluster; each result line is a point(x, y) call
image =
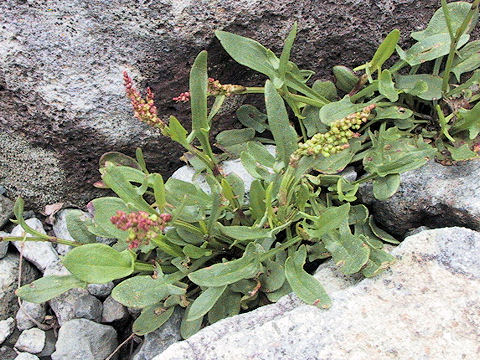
point(283, 133)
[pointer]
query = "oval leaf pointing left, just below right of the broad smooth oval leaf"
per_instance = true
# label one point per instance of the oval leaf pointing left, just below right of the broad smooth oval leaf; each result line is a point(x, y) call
point(142, 291)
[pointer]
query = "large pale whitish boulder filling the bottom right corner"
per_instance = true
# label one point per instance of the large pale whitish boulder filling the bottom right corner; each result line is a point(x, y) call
point(425, 305)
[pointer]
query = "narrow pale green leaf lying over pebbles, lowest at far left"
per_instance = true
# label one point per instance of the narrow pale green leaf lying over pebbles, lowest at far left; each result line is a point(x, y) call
point(48, 287)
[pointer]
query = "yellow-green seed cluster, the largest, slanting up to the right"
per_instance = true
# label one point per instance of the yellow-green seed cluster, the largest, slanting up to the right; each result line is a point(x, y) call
point(336, 139)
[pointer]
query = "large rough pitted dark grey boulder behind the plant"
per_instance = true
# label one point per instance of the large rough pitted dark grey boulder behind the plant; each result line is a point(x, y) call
point(62, 100)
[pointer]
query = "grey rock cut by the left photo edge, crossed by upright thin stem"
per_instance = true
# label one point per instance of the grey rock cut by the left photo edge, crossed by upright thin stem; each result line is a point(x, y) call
point(9, 267)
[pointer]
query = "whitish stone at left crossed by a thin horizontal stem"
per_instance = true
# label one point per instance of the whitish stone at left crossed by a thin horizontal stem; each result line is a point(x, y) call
point(39, 253)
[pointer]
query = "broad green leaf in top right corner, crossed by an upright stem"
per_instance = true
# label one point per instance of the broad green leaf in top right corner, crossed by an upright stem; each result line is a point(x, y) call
point(438, 25)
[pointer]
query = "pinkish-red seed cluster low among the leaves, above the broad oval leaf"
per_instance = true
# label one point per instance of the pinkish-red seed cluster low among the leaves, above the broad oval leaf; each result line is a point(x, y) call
point(141, 226)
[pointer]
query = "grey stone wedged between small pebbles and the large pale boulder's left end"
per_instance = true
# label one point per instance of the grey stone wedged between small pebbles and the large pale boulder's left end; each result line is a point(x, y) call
point(157, 341)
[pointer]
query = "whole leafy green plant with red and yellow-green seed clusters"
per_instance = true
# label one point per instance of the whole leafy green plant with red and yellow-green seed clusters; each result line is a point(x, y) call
point(235, 247)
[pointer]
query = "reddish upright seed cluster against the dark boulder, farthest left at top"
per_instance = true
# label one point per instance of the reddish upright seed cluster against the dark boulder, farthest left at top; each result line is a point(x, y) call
point(144, 109)
